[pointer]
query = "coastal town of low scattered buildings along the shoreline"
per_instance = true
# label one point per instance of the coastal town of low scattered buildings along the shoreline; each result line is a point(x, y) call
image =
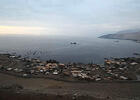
point(115, 69)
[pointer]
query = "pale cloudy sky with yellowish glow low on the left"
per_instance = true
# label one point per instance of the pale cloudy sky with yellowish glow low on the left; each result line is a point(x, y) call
point(68, 17)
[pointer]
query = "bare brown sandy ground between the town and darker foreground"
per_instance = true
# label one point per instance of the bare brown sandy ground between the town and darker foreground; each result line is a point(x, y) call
point(116, 91)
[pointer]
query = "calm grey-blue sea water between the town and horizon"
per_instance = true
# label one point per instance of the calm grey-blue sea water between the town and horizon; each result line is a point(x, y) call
point(49, 47)
